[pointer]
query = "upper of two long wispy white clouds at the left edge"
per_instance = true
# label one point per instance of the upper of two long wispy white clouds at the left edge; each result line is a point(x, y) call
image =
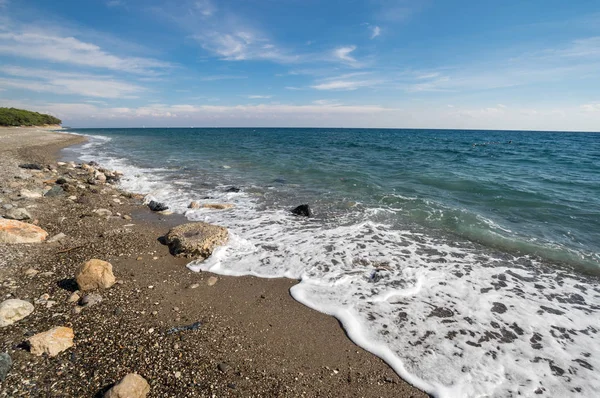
point(49, 46)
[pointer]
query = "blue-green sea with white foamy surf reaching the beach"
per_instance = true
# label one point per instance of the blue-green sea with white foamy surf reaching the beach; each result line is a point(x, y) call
point(469, 261)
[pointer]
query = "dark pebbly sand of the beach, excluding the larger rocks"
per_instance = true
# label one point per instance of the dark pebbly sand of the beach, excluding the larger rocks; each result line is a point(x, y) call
point(255, 339)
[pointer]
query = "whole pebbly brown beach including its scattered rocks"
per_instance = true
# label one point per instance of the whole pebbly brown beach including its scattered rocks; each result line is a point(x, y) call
point(95, 303)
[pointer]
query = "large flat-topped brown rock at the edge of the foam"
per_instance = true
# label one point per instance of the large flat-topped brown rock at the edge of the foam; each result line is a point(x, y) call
point(196, 239)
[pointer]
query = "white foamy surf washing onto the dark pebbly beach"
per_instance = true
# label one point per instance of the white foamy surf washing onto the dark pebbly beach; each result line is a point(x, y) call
point(452, 319)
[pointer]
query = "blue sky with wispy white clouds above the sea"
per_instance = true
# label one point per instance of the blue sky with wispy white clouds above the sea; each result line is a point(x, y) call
point(513, 64)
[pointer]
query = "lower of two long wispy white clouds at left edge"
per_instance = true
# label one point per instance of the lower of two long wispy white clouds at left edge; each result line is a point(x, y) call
point(60, 83)
